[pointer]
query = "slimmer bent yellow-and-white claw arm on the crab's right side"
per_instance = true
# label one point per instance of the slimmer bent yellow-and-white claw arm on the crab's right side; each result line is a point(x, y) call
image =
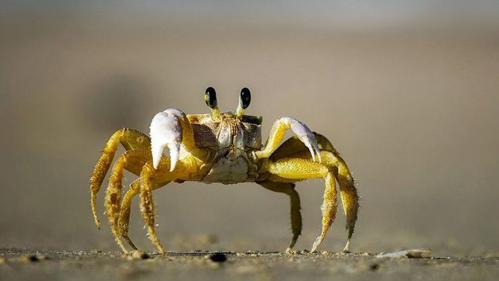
point(278, 131)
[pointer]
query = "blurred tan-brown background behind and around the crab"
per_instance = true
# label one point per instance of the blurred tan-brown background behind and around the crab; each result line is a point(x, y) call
point(408, 91)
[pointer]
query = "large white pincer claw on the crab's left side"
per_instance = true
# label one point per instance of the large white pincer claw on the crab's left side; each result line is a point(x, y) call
point(166, 131)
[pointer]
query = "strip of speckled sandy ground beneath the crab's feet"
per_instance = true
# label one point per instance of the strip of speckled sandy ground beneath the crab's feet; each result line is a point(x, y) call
point(30, 264)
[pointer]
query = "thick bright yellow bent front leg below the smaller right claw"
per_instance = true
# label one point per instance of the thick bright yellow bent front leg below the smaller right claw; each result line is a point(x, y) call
point(299, 169)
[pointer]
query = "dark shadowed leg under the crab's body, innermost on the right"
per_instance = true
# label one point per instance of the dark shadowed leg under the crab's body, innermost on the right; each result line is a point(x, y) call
point(296, 220)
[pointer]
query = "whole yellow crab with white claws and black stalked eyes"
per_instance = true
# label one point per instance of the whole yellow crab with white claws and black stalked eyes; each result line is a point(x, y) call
point(221, 147)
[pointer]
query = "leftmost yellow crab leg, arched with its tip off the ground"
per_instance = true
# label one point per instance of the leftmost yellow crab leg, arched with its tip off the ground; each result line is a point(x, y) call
point(130, 139)
